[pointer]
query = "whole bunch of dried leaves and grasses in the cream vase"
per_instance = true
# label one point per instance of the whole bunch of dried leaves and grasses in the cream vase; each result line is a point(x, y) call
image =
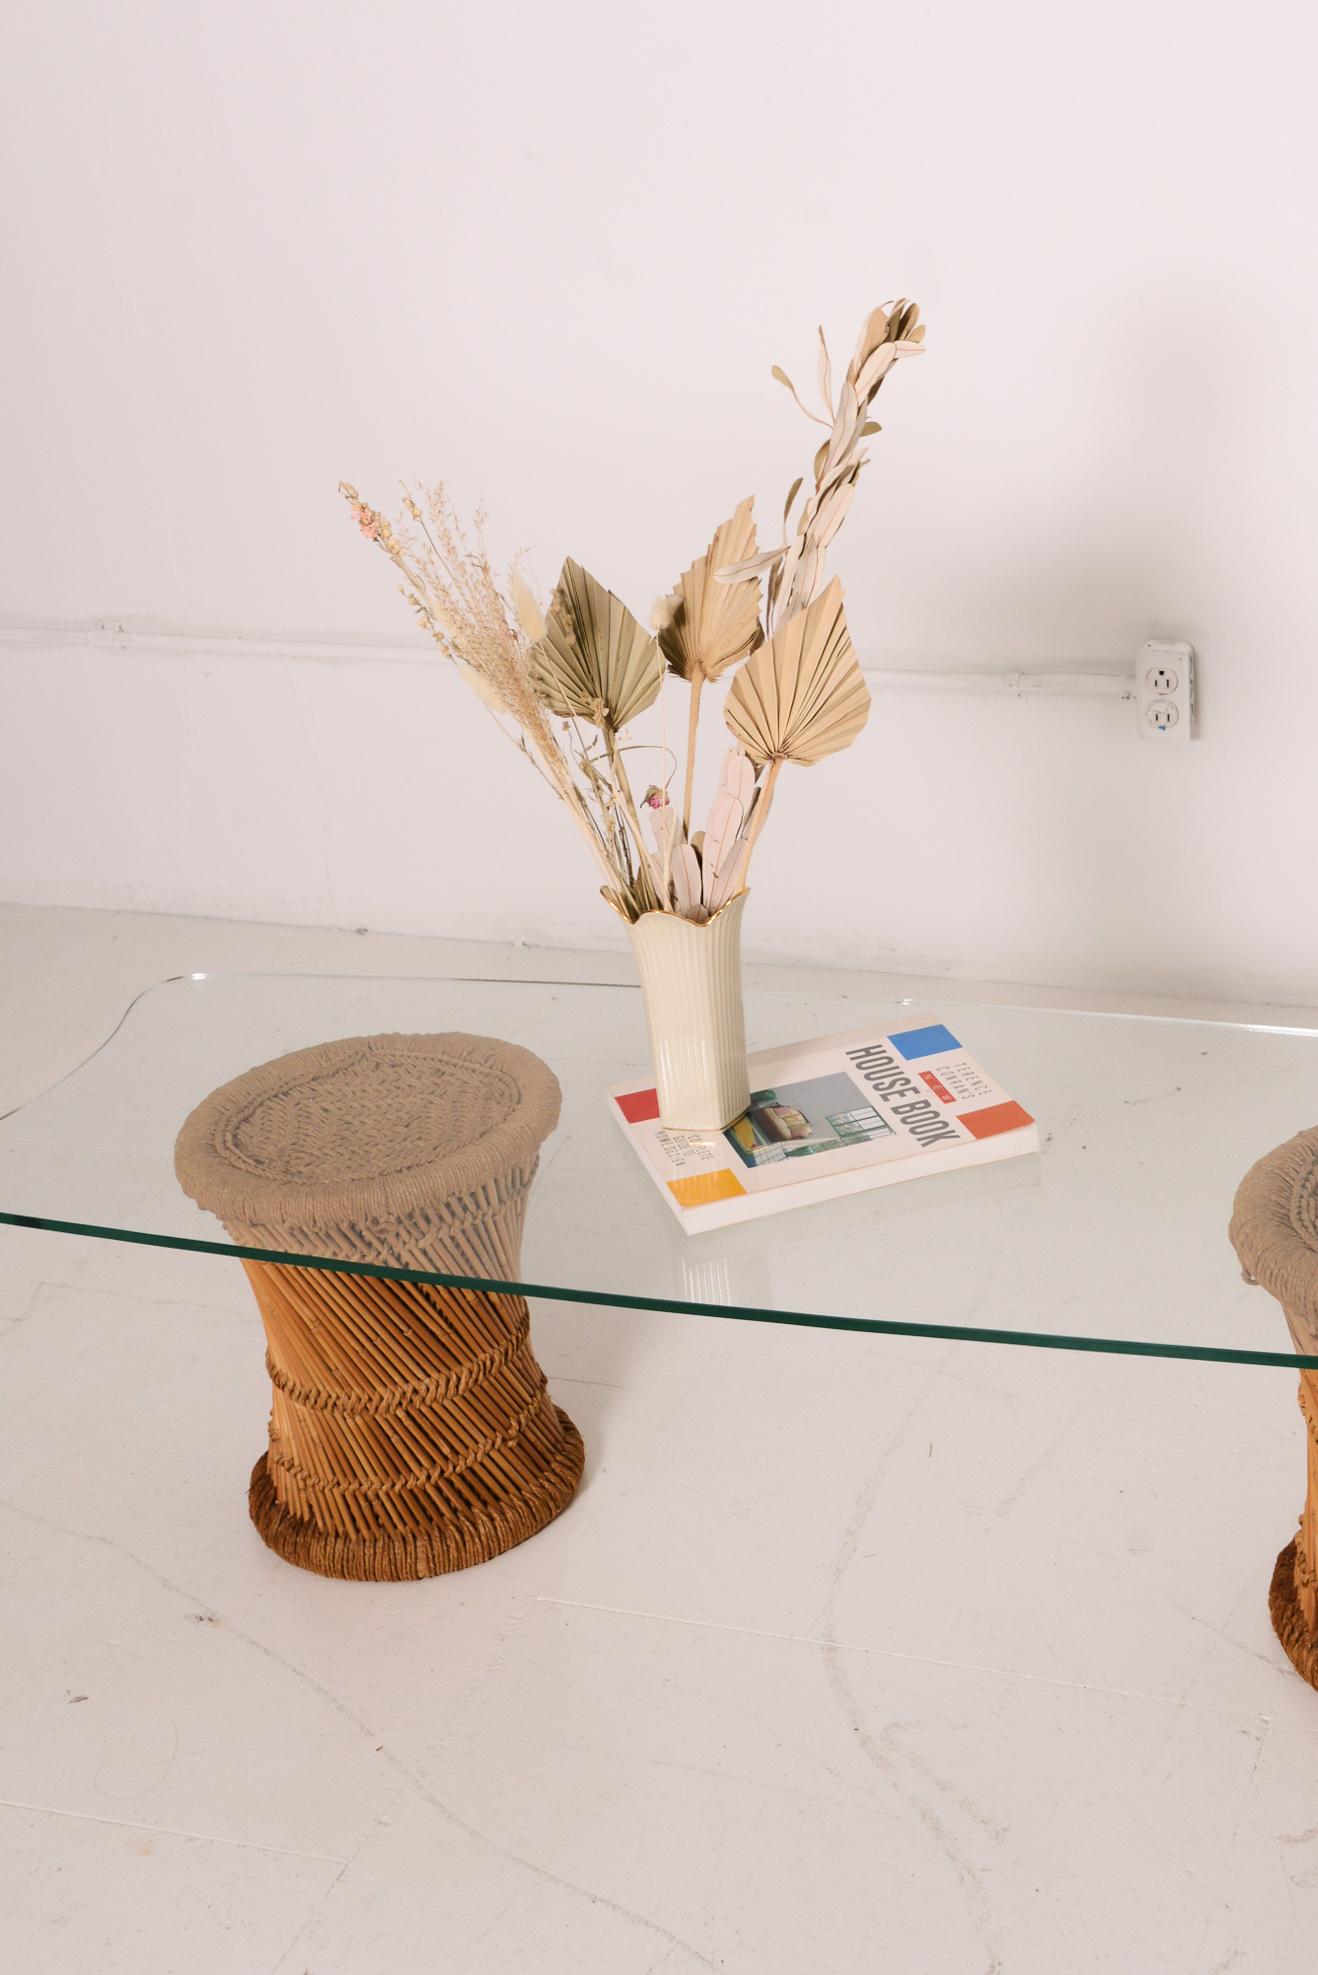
point(566, 684)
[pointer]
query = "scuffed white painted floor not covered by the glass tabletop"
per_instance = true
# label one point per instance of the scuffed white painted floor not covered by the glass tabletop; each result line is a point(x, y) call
point(851, 1656)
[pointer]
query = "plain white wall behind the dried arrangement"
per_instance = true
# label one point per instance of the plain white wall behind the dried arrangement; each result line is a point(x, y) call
point(550, 254)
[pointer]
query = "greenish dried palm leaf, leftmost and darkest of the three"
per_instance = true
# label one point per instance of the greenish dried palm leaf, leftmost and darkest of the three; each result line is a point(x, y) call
point(596, 661)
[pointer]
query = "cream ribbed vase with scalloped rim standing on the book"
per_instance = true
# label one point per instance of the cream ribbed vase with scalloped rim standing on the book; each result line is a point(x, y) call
point(691, 981)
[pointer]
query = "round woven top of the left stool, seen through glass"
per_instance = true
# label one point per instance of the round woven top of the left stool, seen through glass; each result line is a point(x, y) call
point(371, 1129)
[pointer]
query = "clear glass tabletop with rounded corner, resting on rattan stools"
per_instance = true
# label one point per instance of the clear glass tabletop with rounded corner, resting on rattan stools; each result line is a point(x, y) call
point(1112, 1239)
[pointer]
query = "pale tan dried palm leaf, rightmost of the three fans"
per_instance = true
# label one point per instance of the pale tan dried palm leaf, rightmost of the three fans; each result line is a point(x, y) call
point(803, 694)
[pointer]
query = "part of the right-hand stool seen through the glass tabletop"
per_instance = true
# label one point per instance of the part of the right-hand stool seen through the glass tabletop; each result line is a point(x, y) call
point(1276, 1231)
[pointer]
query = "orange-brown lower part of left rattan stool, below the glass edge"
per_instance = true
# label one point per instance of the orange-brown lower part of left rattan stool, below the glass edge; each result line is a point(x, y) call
point(410, 1427)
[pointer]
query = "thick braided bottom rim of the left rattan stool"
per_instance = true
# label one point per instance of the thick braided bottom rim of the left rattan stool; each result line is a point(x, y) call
point(424, 1553)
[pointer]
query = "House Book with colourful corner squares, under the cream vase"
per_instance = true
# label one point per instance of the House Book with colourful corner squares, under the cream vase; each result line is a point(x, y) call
point(831, 1117)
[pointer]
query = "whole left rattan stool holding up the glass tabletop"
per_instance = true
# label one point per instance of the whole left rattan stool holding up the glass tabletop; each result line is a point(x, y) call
point(410, 1423)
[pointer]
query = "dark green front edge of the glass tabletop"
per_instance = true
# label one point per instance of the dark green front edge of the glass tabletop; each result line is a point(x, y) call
point(681, 1306)
